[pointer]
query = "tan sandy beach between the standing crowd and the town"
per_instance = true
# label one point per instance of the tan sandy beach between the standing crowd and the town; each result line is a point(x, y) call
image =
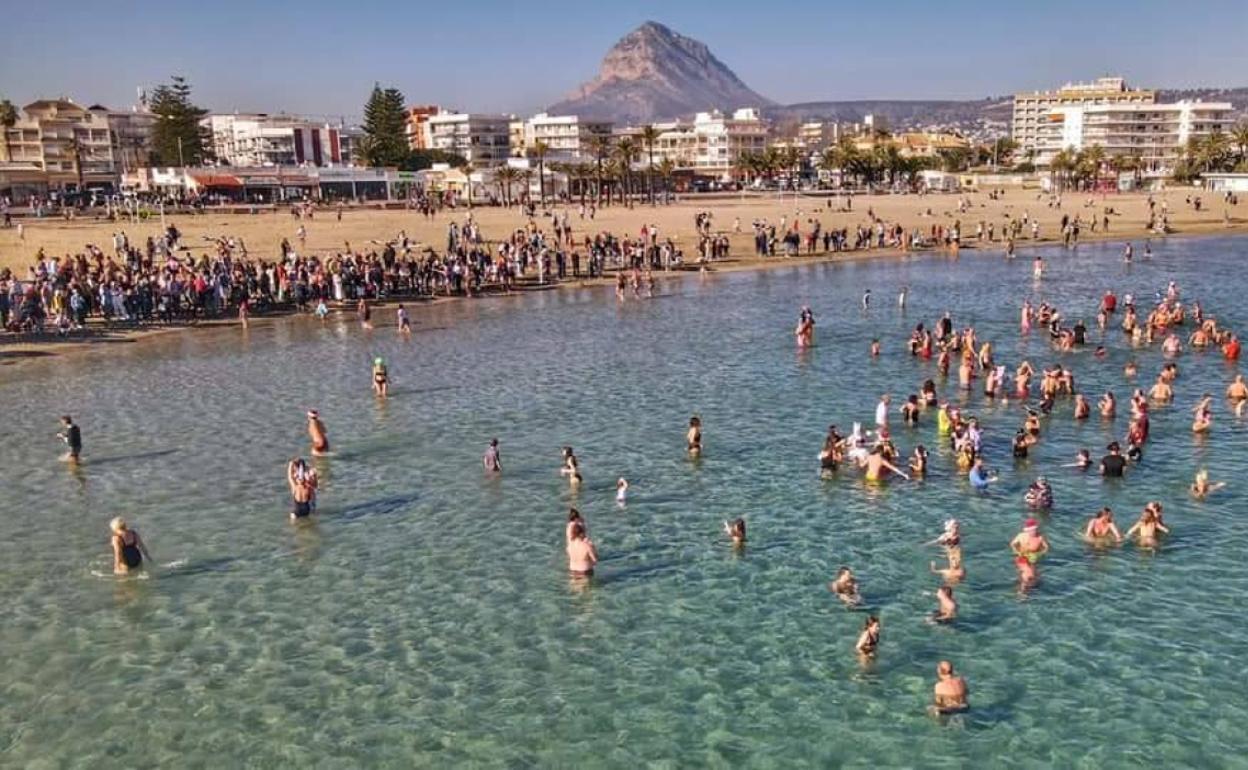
point(368, 230)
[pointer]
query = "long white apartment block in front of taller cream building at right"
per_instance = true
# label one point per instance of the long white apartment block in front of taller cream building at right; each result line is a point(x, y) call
point(1154, 133)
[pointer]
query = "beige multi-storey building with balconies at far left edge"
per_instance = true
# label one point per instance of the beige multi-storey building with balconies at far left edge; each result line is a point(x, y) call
point(64, 142)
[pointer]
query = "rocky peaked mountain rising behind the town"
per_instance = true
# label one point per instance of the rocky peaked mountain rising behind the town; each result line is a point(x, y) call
point(656, 74)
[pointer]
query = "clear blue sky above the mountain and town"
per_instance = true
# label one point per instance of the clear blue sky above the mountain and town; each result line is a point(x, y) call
point(321, 57)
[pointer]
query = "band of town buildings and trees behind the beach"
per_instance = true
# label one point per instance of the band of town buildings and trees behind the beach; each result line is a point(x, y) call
point(1104, 134)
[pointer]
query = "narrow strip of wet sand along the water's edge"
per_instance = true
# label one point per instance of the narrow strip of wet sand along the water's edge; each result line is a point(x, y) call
point(17, 350)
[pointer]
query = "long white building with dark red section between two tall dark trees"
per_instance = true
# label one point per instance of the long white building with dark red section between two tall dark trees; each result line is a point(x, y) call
point(276, 140)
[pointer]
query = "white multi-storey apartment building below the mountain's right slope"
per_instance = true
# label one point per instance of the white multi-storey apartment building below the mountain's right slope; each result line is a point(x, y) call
point(713, 144)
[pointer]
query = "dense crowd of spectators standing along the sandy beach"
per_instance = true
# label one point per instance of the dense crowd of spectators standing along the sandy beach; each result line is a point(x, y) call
point(168, 280)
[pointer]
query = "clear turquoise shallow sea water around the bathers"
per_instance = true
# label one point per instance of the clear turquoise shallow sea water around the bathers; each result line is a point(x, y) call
point(426, 618)
